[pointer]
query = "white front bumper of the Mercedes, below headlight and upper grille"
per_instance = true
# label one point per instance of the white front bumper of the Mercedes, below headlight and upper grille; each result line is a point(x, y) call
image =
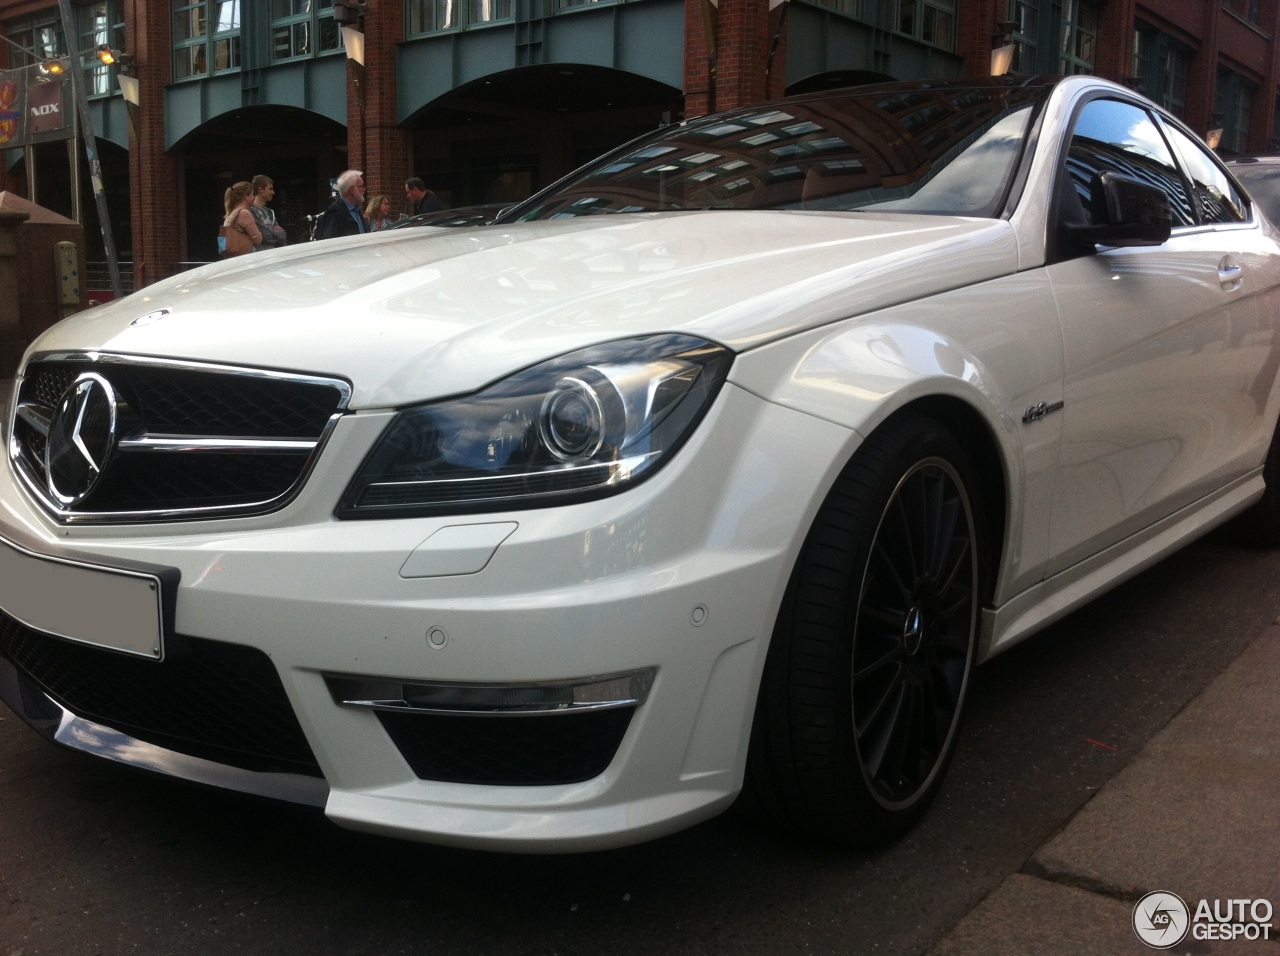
point(679, 579)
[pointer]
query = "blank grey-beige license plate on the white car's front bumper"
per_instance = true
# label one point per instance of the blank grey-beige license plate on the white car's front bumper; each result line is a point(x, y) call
point(106, 607)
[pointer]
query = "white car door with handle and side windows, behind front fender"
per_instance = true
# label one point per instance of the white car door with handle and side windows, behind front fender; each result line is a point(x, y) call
point(1168, 350)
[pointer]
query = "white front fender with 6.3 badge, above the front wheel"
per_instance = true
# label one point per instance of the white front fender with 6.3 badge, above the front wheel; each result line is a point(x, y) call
point(860, 372)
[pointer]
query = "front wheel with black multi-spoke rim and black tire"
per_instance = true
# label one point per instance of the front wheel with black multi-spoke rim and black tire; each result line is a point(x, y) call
point(870, 666)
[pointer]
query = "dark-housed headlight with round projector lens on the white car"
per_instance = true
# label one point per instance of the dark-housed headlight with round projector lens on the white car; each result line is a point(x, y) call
point(579, 427)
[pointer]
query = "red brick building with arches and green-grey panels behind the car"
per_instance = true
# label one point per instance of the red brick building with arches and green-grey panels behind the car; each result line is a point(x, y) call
point(490, 100)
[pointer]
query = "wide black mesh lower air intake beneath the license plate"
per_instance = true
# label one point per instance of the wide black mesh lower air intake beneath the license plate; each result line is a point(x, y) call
point(214, 701)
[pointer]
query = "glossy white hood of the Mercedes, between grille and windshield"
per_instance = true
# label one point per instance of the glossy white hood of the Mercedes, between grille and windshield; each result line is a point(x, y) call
point(420, 314)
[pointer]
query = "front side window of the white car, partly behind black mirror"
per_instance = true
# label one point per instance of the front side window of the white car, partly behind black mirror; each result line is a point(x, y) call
point(1122, 139)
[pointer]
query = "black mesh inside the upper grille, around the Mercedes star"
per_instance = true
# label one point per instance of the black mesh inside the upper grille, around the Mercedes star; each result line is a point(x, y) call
point(162, 401)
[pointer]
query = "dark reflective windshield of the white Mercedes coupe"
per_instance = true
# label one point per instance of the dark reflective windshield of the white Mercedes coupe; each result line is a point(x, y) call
point(945, 150)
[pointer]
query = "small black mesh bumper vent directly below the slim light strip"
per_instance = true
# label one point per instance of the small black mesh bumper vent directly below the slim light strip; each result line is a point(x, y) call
point(529, 751)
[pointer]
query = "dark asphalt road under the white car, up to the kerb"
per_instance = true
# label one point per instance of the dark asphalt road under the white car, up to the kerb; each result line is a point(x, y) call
point(98, 859)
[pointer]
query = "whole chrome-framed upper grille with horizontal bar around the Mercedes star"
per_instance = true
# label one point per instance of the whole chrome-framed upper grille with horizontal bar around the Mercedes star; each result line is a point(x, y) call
point(190, 441)
